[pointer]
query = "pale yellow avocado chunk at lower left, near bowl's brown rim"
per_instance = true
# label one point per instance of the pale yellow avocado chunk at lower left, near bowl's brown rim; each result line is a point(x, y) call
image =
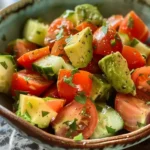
point(34, 110)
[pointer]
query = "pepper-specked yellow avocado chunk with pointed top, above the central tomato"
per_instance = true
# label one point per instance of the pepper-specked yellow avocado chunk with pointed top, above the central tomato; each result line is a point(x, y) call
point(79, 48)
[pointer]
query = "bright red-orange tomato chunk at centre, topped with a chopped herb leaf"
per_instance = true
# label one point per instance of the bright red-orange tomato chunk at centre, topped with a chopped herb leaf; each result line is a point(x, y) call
point(81, 80)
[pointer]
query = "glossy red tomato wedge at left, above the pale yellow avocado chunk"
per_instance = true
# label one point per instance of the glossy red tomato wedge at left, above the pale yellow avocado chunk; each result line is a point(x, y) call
point(30, 82)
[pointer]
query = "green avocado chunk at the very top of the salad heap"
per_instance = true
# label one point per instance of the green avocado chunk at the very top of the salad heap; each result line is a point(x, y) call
point(88, 12)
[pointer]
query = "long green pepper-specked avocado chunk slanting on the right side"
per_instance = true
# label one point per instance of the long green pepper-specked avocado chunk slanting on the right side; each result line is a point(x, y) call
point(117, 73)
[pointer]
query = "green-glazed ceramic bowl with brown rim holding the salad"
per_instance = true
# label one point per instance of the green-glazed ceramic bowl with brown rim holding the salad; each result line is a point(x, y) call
point(12, 20)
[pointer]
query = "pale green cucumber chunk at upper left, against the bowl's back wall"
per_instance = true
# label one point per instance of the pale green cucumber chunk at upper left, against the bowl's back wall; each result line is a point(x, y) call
point(35, 31)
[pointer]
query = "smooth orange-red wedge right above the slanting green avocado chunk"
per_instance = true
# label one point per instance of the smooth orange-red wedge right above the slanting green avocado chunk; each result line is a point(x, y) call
point(133, 57)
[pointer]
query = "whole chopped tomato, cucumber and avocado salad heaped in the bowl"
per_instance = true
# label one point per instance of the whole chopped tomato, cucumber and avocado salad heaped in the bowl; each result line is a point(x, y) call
point(82, 75)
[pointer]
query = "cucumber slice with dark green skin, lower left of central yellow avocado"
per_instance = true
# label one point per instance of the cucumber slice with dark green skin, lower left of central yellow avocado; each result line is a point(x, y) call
point(49, 66)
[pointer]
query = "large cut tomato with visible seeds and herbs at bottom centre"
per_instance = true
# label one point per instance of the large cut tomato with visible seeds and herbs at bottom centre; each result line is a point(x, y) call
point(85, 124)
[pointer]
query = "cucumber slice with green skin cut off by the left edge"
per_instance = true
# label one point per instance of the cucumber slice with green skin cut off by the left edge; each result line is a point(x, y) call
point(7, 68)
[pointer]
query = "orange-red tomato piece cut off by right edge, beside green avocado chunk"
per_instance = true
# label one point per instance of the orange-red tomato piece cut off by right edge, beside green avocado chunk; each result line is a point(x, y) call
point(141, 78)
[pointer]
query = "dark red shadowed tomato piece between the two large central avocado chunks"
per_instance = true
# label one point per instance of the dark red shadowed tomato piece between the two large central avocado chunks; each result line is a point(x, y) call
point(93, 67)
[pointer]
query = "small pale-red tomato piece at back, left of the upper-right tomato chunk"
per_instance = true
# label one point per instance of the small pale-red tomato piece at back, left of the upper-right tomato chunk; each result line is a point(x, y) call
point(115, 21)
